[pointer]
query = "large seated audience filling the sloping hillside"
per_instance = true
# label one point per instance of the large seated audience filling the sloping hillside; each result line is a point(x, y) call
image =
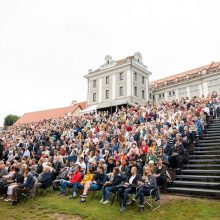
point(129, 151)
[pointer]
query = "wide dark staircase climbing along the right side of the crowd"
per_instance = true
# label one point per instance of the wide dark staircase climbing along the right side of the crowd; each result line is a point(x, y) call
point(201, 176)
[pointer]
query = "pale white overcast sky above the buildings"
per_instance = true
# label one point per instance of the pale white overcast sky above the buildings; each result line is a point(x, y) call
point(46, 47)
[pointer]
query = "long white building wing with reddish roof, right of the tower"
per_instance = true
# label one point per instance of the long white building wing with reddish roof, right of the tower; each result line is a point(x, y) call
point(201, 81)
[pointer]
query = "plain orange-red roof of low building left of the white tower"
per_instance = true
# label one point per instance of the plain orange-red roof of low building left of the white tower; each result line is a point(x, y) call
point(50, 113)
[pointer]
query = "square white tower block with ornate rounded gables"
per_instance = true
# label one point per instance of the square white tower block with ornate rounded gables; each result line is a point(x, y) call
point(119, 82)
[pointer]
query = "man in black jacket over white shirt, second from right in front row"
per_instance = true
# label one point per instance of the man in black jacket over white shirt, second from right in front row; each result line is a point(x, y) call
point(128, 187)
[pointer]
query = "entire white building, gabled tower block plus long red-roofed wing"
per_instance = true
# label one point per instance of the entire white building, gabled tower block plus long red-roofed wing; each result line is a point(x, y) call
point(126, 82)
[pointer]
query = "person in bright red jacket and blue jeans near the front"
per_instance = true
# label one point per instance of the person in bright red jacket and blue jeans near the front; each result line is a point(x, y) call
point(73, 178)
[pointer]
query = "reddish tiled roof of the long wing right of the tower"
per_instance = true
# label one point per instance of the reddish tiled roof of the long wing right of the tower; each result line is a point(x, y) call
point(198, 70)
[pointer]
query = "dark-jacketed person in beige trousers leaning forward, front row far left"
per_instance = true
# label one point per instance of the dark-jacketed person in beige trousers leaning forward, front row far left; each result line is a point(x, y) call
point(25, 187)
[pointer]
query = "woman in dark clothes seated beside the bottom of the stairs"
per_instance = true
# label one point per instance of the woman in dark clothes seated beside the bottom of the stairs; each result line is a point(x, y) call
point(160, 174)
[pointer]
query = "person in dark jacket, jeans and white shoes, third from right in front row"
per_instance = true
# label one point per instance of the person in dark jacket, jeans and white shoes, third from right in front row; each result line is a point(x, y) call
point(109, 186)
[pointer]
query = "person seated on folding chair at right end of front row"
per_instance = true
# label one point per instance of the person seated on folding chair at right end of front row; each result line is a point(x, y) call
point(148, 183)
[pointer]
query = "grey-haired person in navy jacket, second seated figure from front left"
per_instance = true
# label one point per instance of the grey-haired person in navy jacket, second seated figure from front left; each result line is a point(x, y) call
point(44, 180)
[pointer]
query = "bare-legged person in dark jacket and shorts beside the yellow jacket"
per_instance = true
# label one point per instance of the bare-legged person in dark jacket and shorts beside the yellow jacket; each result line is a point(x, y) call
point(97, 183)
